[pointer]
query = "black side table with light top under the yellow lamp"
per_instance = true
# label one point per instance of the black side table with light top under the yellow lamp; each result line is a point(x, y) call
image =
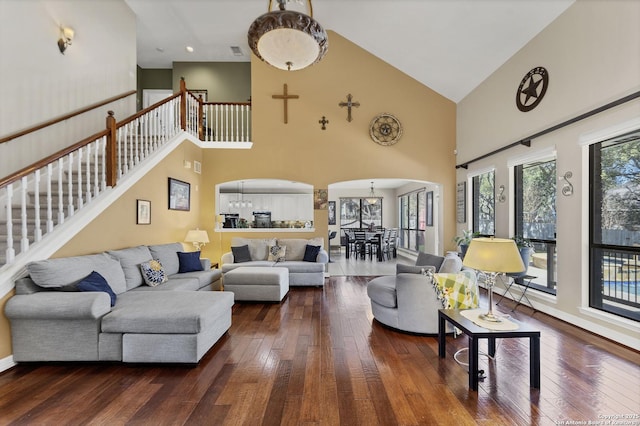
point(475, 332)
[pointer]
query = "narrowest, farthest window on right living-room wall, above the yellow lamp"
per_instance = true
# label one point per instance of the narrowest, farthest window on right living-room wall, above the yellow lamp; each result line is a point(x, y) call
point(484, 213)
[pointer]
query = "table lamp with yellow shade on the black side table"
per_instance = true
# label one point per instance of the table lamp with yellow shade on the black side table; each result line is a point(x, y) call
point(493, 256)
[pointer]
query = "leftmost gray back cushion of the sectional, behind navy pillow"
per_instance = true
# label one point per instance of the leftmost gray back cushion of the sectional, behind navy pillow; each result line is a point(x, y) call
point(69, 271)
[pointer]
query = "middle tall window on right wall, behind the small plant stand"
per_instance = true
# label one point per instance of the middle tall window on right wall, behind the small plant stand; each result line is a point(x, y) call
point(535, 220)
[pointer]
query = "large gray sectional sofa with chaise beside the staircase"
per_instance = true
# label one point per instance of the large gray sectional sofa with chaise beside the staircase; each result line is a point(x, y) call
point(175, 321)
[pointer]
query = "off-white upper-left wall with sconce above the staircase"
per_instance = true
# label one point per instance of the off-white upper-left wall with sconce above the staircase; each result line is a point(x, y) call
point(38, 83)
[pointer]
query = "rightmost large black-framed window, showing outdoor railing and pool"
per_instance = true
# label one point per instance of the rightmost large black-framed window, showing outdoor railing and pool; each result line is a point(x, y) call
point(615, 226)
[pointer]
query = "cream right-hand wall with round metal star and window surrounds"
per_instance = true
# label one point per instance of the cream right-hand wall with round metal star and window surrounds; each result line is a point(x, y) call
point(591, 53)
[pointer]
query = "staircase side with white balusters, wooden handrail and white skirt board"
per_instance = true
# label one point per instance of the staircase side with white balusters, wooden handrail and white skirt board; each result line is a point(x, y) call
point(46, 204)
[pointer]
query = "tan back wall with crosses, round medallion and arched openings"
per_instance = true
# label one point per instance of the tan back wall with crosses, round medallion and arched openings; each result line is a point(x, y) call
point(301, 151)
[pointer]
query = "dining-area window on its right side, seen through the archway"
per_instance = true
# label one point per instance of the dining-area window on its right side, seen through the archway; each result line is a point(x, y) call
point(413, 217)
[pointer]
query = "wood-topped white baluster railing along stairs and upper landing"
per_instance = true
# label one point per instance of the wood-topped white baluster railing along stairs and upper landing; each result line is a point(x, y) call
point(36, 199)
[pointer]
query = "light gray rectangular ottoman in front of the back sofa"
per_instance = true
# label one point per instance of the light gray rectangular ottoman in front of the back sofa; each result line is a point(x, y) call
point(257, 283)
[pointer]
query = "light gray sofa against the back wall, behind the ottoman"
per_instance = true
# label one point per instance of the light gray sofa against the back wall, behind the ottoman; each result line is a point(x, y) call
point(261, 253)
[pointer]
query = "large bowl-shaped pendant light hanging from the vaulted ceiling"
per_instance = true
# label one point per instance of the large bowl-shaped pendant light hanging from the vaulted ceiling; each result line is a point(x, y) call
point(287, 39)
